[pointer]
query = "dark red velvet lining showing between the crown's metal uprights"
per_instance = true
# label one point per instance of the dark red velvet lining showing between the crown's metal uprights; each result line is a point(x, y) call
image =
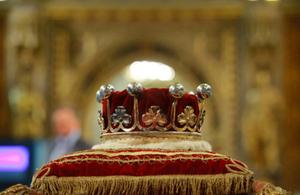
point(150, 97)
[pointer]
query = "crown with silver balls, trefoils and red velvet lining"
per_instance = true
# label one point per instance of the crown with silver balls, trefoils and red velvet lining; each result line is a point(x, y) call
point(153, 115)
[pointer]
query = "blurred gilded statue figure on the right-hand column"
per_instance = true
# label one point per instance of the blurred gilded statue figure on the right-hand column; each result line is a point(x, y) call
point(261, 121)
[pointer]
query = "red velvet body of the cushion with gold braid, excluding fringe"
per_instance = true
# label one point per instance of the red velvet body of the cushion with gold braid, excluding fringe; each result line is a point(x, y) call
point(92, 163)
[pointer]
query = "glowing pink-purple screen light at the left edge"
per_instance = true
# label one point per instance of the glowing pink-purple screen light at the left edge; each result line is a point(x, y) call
point(14, 158)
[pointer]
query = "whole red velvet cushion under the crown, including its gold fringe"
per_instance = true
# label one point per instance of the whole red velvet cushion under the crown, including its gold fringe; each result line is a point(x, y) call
point(143, 171)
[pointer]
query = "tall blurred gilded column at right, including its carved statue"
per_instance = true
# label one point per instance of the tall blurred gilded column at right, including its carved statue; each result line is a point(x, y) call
point(262, 115)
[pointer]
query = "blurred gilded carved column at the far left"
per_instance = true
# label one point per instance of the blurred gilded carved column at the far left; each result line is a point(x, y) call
point(26, 97)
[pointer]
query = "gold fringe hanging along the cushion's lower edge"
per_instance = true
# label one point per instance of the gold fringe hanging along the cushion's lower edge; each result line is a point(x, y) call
point(162, 184)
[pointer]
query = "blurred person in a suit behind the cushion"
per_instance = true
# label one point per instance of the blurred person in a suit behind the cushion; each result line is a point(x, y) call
point(67, 127)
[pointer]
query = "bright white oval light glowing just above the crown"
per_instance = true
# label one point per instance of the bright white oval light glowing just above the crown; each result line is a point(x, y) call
point(141, 70)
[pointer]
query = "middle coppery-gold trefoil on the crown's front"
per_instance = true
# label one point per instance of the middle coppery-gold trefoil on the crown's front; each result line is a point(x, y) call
point(154, 117)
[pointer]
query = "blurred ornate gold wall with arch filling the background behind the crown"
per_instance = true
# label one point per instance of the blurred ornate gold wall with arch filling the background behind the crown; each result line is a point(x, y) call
point(55, 53)
